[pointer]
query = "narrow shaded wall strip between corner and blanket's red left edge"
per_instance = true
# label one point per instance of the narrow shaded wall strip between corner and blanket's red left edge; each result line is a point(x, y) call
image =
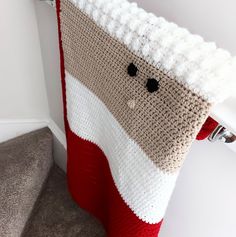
point(47, 26)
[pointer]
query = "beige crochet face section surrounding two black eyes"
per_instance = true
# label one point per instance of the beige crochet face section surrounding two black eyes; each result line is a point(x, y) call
point(163, 123)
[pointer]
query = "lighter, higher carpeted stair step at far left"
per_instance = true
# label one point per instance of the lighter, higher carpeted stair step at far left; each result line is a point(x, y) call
point(25, 163)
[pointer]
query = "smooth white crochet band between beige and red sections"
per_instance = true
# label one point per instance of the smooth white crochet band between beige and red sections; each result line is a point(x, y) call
point(143, 186)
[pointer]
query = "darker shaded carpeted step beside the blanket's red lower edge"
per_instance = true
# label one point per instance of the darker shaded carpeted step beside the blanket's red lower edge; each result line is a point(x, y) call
point(56, 214)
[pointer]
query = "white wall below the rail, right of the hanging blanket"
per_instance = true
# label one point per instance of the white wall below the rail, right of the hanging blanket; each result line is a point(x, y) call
point(203, 203)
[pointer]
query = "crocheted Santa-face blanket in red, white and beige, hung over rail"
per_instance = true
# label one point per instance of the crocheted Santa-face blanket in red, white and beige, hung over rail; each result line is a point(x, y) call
point(137, 90)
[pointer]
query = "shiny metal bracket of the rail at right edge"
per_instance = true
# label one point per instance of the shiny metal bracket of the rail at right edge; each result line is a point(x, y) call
point(222, 134)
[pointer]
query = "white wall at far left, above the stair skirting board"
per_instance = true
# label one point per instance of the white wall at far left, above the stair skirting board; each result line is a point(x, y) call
point(22, 88)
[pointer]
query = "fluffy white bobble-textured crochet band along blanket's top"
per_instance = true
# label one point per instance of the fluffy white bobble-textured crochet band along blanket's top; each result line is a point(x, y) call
point(202, 67)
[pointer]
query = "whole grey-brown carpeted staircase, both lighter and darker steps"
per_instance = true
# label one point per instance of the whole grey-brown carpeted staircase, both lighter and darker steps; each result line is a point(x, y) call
point(34, 201)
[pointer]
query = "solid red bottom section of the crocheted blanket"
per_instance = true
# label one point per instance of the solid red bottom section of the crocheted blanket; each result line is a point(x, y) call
point(92, 187)
